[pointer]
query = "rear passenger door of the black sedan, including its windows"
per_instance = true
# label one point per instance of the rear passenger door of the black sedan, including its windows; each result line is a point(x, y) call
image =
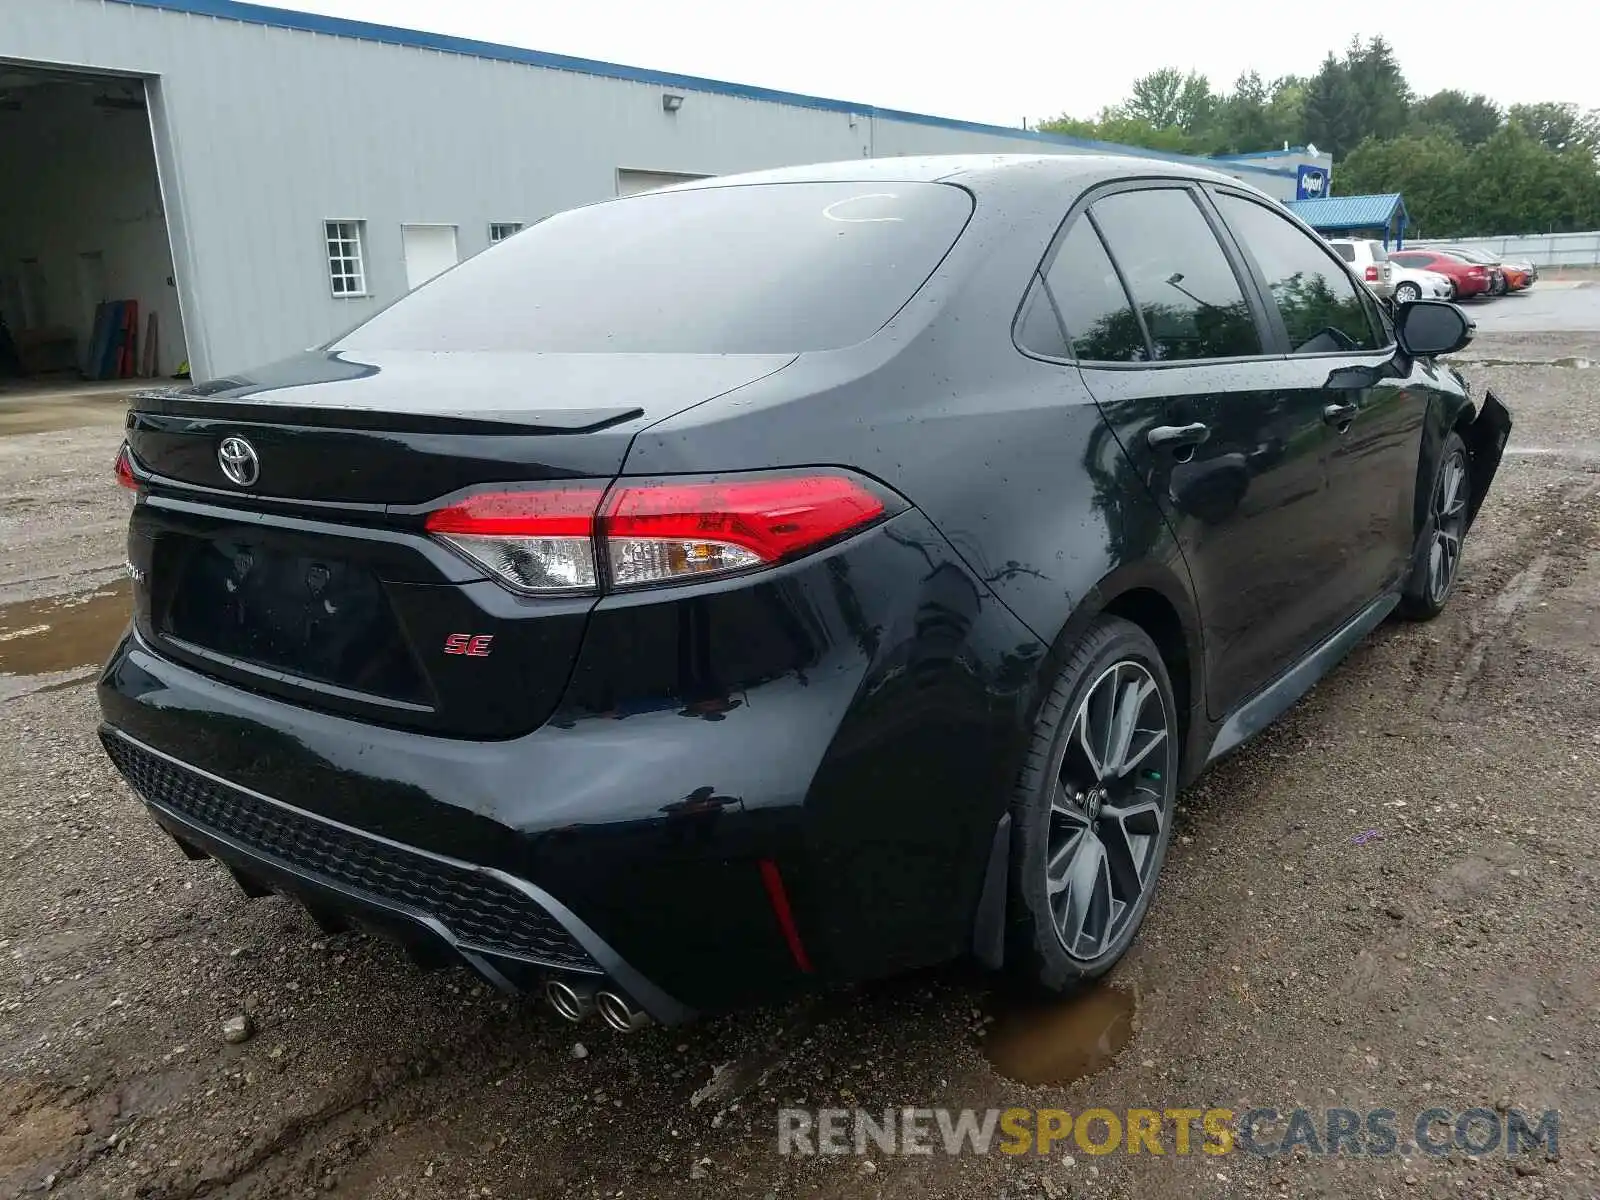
point(1190, 382)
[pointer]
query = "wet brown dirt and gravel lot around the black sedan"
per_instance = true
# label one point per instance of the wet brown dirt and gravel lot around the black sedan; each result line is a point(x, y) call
point(1386, 902)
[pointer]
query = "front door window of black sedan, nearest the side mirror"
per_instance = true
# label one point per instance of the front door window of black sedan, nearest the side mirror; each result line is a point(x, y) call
point(1318, 300)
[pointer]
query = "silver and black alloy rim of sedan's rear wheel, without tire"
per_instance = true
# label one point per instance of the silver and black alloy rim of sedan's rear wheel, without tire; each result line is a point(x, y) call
point(1108, 810)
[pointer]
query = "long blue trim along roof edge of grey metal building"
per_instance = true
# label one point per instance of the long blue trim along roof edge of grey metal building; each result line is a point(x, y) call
point(367, 31)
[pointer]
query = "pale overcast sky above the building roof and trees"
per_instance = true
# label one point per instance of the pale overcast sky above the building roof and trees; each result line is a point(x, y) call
point(1002, 62)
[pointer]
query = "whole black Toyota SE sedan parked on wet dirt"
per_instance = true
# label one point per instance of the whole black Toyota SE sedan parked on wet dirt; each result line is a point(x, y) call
point(783, 580)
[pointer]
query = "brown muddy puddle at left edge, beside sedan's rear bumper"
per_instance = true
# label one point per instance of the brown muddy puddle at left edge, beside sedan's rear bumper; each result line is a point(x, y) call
point(44, 639)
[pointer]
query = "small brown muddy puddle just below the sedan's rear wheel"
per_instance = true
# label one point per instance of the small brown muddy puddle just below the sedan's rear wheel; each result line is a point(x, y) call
point(1063, 1041)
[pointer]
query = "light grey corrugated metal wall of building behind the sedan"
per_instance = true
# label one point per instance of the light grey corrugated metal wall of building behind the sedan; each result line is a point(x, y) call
point(270, 132)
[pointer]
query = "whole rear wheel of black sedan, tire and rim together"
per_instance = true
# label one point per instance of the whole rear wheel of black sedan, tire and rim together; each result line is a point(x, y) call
point(1057, 766)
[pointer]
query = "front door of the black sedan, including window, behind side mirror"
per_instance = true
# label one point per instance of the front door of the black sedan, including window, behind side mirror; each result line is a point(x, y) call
point(1342, 354)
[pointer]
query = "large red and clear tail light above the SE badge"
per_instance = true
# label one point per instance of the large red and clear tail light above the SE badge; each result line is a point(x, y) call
point(654, 532)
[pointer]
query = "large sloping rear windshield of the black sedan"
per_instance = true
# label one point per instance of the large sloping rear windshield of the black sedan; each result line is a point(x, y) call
point(743, 270)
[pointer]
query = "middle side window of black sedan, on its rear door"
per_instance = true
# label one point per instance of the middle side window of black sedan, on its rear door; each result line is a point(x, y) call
point(1178, 274)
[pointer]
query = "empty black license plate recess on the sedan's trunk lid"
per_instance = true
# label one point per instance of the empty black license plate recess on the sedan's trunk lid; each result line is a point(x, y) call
point(305, 617)
